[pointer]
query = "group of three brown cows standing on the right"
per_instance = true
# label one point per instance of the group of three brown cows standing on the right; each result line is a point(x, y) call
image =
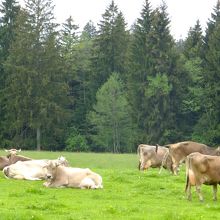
point(202, 163)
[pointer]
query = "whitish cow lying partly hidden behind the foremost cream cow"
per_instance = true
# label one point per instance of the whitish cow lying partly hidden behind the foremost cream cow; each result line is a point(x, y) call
point(29, 170)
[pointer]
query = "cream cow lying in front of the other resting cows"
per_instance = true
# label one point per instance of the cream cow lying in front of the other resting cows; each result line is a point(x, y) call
point(59, 176)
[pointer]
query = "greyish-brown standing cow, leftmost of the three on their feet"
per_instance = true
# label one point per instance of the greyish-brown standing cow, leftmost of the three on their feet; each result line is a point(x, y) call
point(153, 156)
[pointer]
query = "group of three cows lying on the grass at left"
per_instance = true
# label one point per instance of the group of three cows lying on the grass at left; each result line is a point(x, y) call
point(57, 173)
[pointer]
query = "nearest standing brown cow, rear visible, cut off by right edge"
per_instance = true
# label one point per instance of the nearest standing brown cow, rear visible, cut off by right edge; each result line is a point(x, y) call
point(202, 169)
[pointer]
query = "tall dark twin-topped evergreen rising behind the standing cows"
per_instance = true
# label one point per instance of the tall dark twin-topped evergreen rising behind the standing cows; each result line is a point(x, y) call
point(154, 78)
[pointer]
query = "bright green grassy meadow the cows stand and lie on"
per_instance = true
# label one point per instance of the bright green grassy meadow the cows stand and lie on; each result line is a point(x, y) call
point(127, 194)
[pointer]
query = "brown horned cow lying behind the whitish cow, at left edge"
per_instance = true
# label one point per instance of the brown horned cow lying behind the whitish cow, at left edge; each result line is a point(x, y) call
point(11, 158)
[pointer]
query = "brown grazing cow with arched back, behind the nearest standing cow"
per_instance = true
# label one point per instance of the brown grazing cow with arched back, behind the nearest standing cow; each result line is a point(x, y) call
point(179, 152)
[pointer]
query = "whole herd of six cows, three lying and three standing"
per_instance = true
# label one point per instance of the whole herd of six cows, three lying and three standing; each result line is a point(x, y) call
point(202, 167)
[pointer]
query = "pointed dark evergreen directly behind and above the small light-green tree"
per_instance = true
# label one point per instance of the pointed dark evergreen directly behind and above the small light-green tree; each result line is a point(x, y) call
point(110, 47)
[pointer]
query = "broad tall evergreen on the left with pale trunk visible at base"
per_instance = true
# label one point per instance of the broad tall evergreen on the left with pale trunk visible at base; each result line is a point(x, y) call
point(36, 90)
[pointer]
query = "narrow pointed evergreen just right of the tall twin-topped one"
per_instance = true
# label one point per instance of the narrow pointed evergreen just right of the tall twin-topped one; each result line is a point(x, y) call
point(192, 103)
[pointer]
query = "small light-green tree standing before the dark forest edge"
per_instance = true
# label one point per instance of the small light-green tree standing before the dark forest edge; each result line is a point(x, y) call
point(111, 117)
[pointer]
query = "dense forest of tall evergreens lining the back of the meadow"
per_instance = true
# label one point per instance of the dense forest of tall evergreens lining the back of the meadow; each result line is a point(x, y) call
point(108, 87)
